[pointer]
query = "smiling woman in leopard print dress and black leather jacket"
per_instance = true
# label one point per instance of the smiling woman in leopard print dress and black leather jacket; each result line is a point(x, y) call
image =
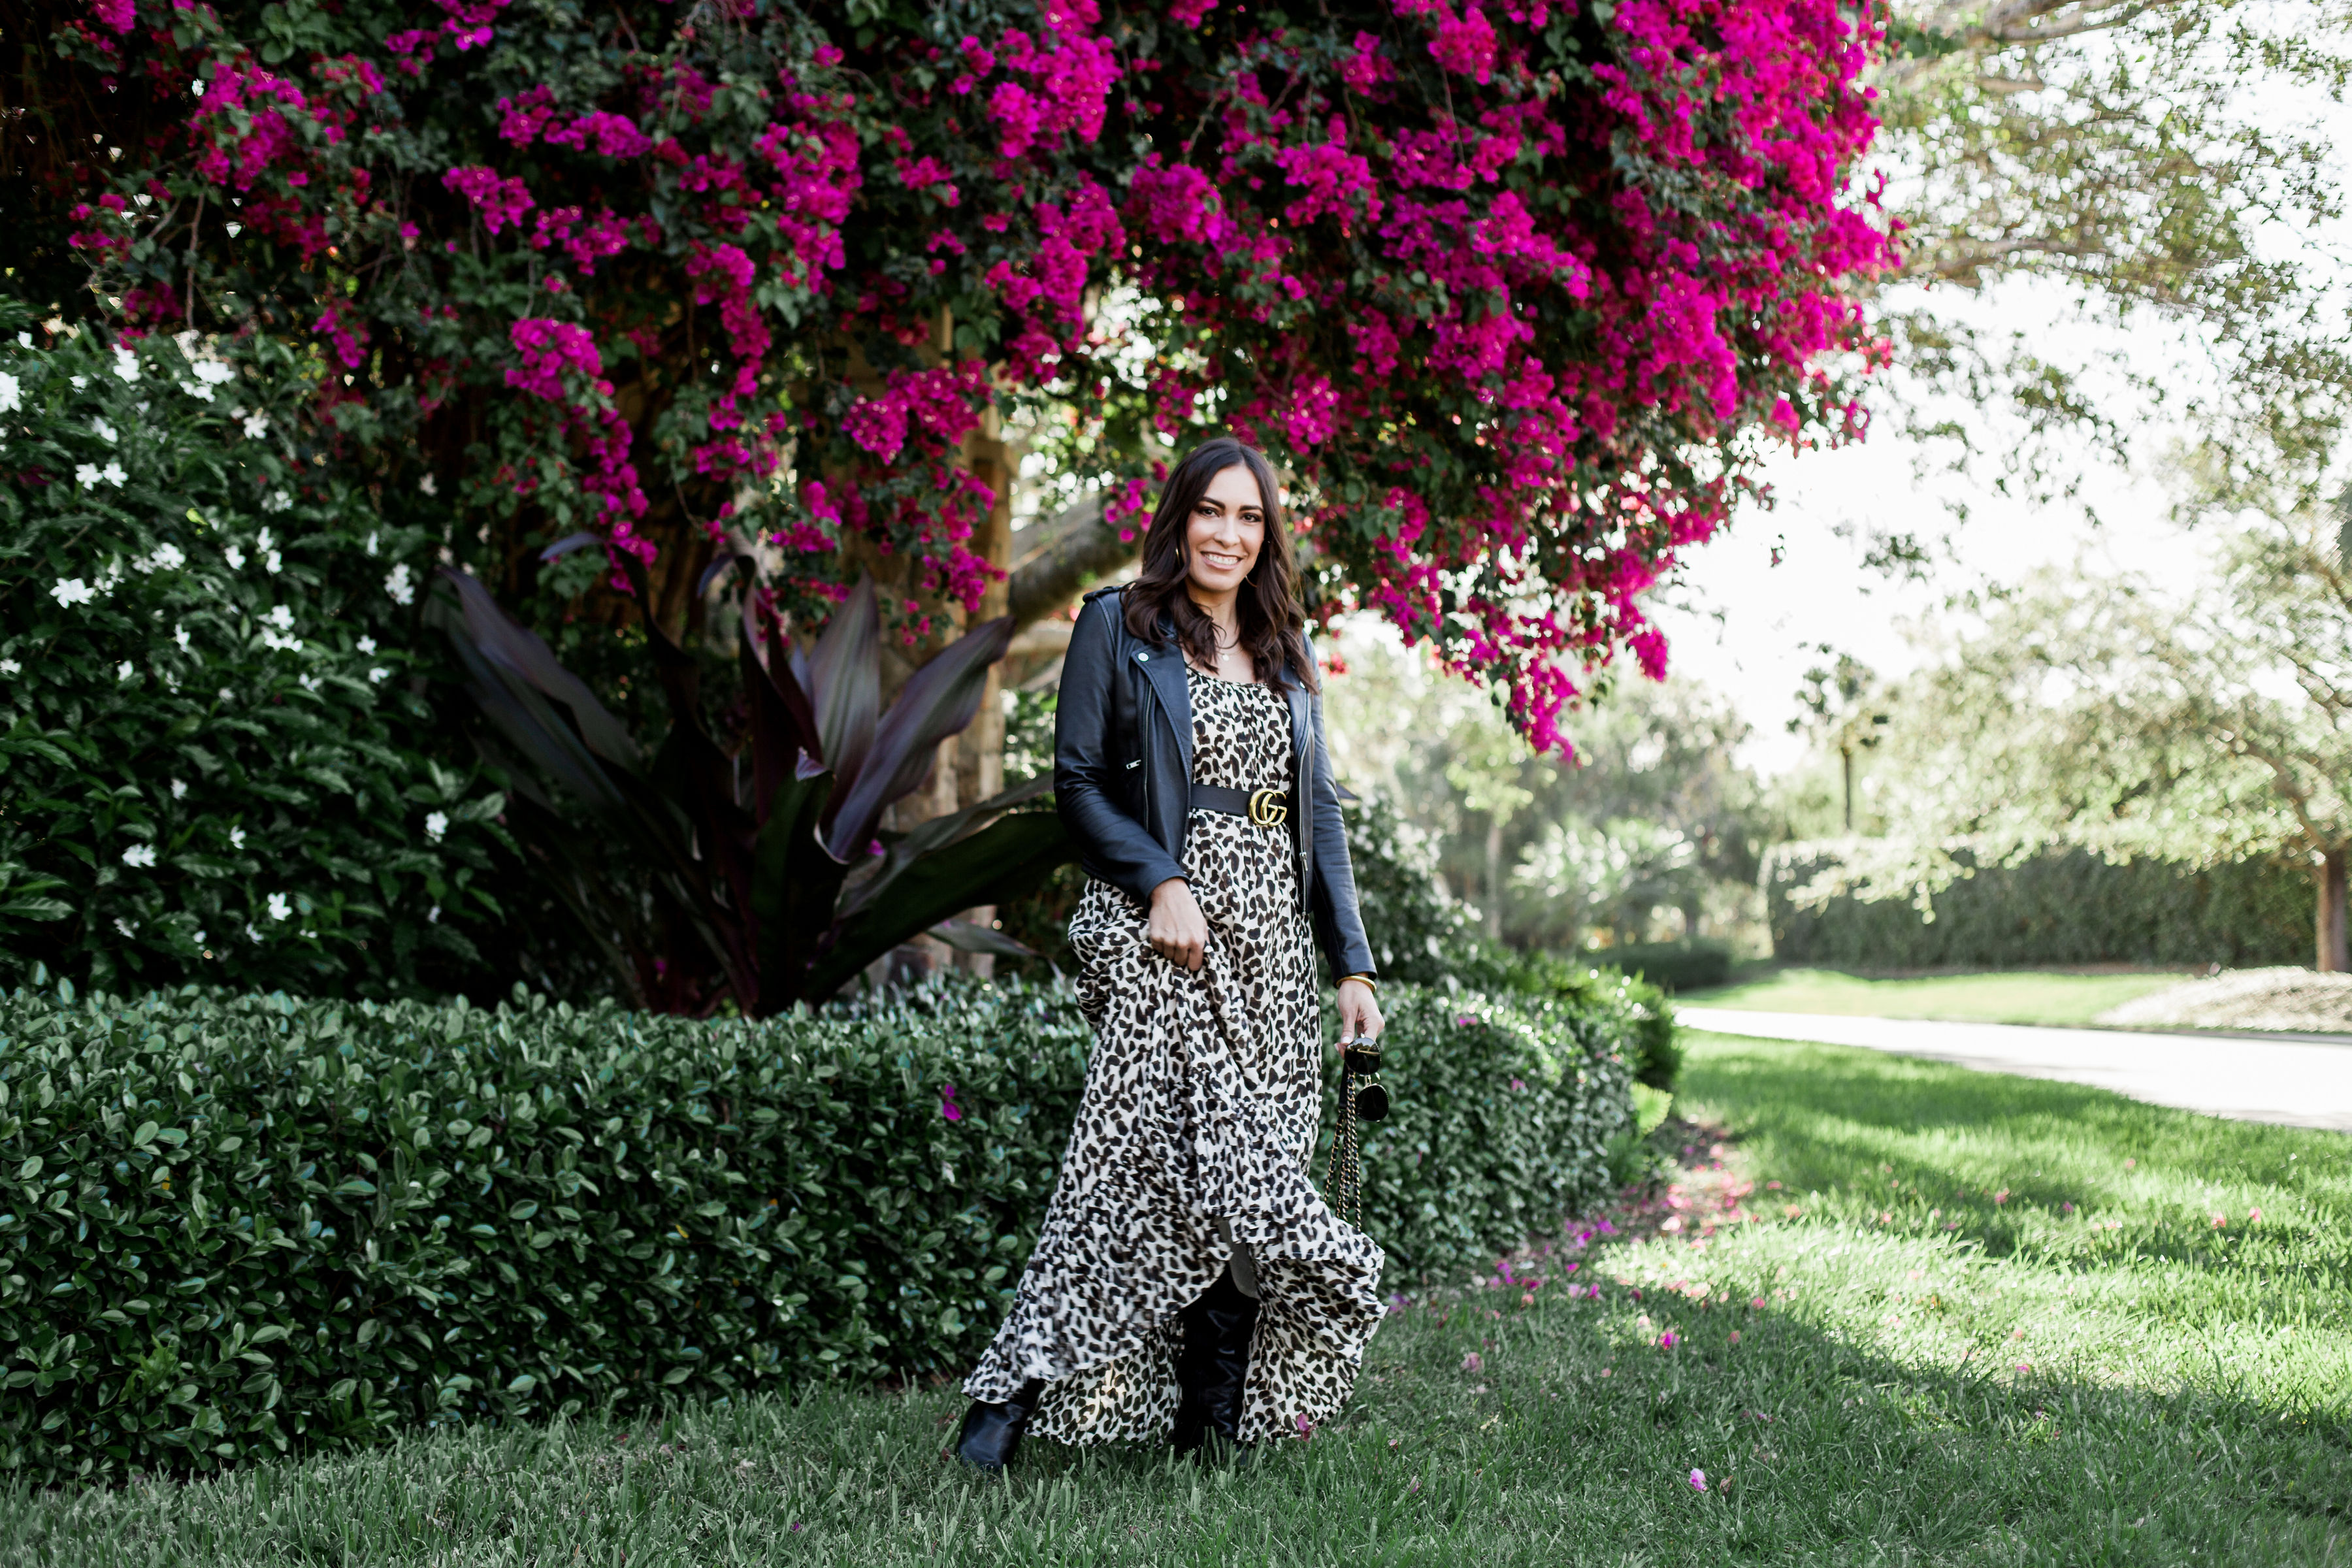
point(1189, 1278)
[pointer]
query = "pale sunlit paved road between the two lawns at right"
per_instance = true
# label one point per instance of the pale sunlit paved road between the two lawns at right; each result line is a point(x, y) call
point(2294, 1083)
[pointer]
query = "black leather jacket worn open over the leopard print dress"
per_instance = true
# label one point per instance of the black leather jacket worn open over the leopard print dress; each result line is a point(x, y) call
point(1123, 772)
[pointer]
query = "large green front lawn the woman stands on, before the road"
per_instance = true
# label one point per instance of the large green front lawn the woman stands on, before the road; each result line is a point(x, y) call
point(2000, 1325)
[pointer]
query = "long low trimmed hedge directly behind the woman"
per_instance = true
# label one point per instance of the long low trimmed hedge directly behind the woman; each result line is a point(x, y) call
point(239, 1226)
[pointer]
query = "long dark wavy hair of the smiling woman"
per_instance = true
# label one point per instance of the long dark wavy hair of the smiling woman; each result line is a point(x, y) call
point(1269, 612)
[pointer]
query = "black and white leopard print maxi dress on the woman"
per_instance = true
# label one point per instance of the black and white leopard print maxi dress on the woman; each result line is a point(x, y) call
point(1194, 1139)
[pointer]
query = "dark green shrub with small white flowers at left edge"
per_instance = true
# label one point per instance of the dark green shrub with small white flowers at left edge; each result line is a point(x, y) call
point(213, 742)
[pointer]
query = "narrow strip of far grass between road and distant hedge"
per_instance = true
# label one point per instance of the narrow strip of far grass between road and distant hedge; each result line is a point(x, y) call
point(2022, 996)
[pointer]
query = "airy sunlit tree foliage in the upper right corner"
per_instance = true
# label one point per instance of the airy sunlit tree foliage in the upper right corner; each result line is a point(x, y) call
point(2158, 161)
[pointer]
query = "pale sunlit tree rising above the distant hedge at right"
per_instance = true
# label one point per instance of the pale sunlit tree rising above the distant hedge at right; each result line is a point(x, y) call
point(2102, 713)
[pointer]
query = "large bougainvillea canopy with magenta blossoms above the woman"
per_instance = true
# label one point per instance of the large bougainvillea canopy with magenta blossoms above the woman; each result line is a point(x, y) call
point(1514, 293)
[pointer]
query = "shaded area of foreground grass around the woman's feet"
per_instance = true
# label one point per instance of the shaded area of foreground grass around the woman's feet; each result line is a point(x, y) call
point(1815, 1452)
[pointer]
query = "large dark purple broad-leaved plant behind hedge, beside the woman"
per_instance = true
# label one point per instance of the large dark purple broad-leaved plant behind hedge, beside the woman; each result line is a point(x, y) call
point(754, 873)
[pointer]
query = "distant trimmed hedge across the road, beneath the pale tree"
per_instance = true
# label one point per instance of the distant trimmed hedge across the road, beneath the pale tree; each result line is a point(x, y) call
point(2062, 909)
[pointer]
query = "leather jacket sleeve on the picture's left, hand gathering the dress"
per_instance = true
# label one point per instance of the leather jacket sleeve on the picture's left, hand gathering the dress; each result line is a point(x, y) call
point(1111, 843)
